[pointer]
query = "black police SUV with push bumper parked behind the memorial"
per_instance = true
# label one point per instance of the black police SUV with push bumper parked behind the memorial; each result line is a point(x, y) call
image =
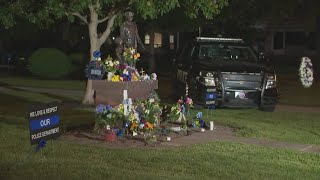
point(224, 72)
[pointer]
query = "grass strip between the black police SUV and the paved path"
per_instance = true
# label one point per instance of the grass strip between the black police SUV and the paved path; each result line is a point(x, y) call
point(294, 127)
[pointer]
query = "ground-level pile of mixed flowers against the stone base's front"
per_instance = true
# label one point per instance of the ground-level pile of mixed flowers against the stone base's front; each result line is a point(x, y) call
point(143, 117)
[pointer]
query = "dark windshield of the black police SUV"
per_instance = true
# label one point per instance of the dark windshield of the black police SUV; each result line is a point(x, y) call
point(227, 52)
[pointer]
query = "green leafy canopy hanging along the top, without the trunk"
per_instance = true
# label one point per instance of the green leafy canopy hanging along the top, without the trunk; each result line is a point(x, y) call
point(47, 11)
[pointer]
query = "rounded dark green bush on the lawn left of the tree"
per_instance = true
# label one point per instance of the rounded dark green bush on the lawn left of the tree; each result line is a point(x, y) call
point(49, 63)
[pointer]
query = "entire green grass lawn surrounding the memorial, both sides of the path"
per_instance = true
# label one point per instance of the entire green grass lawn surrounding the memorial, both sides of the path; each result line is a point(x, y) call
point(218, 160)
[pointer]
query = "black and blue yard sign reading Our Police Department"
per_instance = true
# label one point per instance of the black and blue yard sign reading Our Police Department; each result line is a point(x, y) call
point(44, 122)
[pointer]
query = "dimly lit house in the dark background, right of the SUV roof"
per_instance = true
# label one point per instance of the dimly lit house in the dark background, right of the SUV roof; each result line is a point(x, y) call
point(290, 37)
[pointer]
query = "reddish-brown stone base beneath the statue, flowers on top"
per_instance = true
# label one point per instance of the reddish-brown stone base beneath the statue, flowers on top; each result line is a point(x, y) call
point(111, 93)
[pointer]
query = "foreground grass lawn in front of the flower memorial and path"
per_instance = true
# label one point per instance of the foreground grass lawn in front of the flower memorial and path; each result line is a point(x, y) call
point(219, 160)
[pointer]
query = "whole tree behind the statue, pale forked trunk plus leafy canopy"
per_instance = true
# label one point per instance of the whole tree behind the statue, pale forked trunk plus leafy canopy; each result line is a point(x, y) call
point(95, 12)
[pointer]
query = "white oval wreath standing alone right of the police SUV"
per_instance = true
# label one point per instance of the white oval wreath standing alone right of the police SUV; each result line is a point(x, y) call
point(306, 72)
